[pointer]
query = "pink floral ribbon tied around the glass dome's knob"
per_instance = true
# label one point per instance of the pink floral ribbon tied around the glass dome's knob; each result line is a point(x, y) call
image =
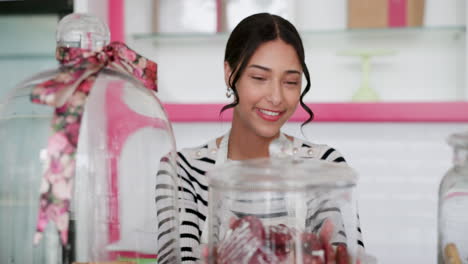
point(67, 92)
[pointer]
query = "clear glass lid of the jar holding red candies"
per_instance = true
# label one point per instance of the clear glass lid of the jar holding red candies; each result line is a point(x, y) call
point(282, 175)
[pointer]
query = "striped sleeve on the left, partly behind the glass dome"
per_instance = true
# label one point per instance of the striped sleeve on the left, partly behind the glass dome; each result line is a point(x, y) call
point(193, 204)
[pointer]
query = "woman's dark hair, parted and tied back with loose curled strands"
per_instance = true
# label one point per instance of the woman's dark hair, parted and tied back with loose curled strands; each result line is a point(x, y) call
point(248, 35)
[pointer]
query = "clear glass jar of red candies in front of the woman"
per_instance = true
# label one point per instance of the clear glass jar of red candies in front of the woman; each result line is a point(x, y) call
point(282, 211)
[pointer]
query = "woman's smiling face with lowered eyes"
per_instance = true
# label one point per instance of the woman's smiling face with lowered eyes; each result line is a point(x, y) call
point(268, 89)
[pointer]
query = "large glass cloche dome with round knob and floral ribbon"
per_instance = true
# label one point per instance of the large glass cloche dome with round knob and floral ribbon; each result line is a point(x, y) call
point(103, 189)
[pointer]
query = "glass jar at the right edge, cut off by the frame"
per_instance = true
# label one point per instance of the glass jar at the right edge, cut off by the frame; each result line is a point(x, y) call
point(453, 206)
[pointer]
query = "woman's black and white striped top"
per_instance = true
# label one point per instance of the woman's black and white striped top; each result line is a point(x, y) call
point(192, 165)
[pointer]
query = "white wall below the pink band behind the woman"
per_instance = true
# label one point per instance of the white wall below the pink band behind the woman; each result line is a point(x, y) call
point(400, 166)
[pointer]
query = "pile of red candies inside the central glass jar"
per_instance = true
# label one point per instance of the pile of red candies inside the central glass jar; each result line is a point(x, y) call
point(250, 242)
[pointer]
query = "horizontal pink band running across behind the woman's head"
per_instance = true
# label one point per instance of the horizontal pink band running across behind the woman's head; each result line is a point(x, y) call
point(338, 112)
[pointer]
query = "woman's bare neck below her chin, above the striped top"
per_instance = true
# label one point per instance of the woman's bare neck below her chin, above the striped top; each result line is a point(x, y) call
point(245, 144)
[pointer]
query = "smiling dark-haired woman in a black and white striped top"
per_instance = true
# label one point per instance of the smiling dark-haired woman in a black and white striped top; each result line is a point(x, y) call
point(263, 67)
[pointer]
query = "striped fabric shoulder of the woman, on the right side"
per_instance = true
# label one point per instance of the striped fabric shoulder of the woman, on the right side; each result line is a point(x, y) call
point(306, 149)
